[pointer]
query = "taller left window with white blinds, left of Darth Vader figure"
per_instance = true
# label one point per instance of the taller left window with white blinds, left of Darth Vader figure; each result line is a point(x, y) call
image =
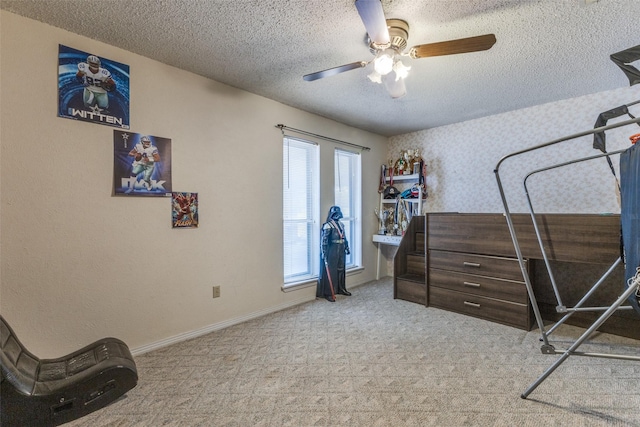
point(300, 210)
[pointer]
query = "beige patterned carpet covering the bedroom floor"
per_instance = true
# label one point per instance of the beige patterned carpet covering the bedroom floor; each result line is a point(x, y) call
point(370, 360)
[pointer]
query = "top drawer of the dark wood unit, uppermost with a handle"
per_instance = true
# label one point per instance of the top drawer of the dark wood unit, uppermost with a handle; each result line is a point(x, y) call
point(501, 267)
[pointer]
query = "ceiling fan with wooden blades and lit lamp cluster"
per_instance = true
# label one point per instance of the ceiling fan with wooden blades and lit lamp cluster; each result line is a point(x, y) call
point(388, 40)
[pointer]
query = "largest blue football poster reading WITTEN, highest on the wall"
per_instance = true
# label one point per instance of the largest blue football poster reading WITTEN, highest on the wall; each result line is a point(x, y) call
point(92, 88)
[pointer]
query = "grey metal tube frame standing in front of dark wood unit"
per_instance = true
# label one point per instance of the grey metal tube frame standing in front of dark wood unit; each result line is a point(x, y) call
point(546, 347)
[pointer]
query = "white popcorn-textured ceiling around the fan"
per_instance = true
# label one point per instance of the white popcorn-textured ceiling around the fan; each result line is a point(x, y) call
point(546, 50)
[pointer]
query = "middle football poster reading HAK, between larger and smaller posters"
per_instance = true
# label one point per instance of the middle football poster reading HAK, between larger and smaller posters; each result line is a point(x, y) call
point(141, 164)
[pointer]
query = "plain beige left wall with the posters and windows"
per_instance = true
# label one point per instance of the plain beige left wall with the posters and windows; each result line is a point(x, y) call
point(78, 264)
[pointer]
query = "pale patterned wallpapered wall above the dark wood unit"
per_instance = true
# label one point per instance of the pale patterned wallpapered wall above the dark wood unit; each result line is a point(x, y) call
point(461, 158)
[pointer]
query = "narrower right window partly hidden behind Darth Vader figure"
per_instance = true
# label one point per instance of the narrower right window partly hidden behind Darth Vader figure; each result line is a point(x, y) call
point(348, 196)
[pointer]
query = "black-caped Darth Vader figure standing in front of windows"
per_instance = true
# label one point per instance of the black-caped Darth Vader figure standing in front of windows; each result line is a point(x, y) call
point(334, 247)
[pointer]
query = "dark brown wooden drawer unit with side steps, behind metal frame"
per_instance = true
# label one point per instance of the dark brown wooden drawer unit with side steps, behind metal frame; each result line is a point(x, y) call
point(470, 267)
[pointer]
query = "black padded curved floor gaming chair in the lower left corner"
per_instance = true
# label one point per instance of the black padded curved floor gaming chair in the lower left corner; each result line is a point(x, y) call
point(50, 392)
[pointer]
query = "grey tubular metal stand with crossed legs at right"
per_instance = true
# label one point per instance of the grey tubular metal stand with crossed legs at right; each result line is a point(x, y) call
point(548, 348)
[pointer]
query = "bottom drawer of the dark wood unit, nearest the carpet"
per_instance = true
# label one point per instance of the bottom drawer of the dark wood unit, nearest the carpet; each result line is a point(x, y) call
point(505, 312)
